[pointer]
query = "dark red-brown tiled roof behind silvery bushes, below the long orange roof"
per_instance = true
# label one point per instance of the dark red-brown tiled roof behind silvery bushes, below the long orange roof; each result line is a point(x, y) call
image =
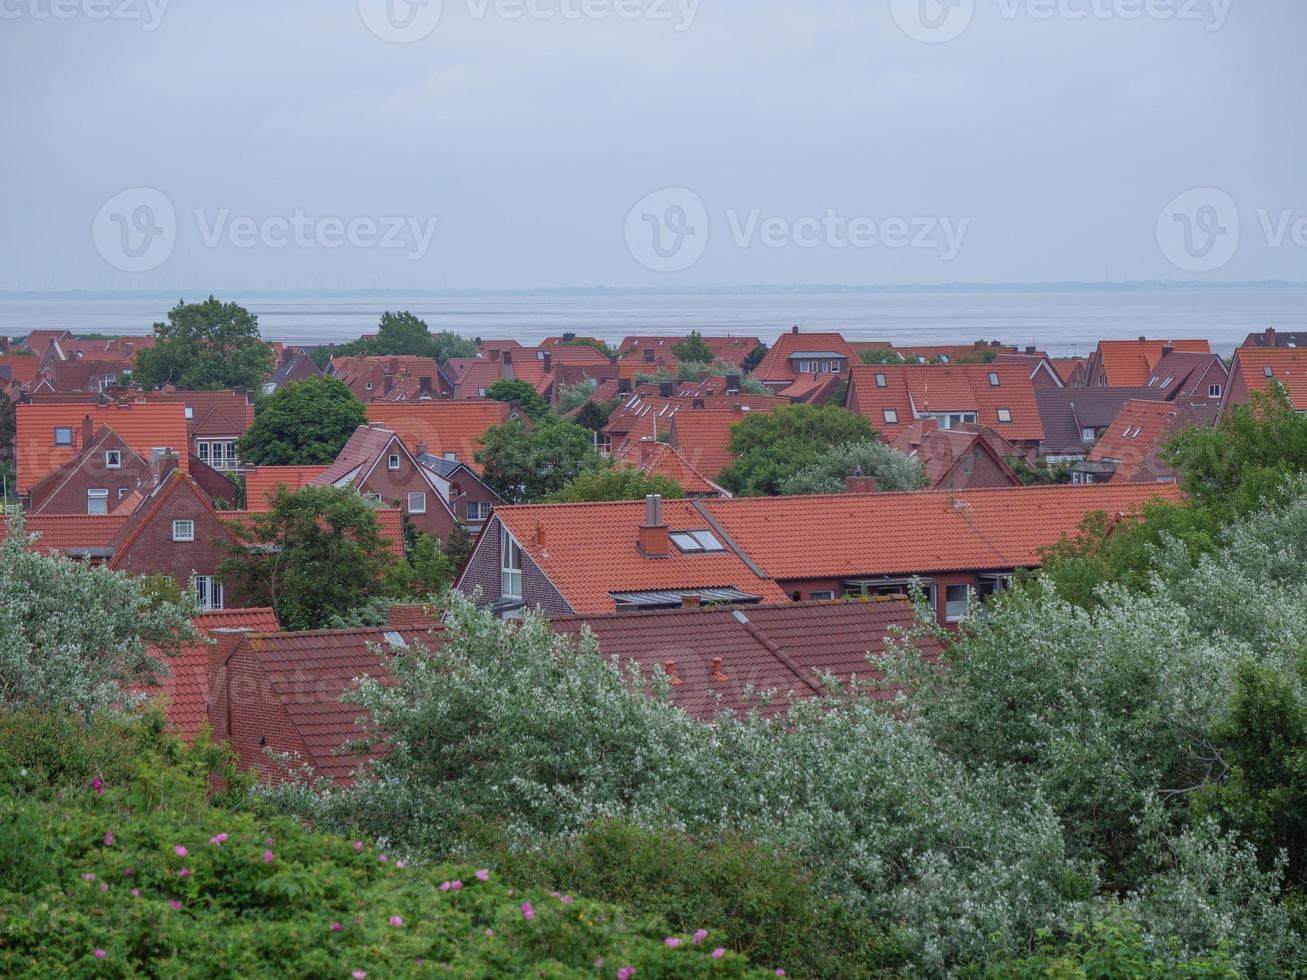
point(723, 659)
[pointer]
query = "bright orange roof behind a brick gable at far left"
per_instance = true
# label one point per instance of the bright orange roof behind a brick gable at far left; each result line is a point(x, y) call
point(143, 427)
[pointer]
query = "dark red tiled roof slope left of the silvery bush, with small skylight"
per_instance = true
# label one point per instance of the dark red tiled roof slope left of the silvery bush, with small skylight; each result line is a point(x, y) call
point(309, 672)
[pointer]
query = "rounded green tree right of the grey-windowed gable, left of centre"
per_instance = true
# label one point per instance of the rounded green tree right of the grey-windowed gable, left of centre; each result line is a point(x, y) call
point(526, 463)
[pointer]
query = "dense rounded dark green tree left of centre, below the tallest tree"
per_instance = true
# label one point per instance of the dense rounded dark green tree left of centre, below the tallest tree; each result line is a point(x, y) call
point(306, 424)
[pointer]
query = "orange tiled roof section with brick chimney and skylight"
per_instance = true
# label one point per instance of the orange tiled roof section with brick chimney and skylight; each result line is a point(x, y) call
point(590, 551)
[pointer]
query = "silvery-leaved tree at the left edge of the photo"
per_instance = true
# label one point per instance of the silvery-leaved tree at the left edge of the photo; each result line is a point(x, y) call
point(74, 637)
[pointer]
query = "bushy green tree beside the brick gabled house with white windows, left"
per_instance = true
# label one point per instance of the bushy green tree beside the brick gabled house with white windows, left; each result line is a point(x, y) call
point(316, 553)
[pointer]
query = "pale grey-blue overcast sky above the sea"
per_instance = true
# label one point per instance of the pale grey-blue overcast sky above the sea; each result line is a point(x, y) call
point(295, 144)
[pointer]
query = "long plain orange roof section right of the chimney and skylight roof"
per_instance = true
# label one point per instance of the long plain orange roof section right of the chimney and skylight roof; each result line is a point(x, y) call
point(926, 532)
